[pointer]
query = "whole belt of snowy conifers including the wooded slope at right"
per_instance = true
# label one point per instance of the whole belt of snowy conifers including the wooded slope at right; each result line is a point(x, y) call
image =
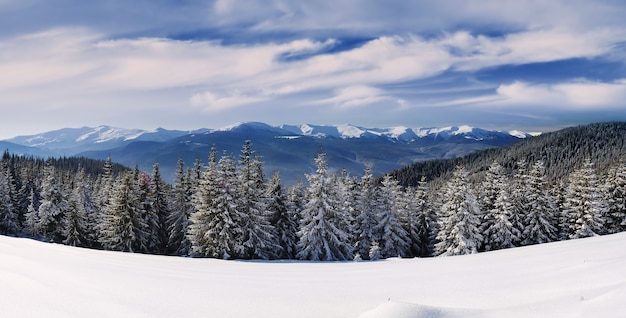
point(558, 186)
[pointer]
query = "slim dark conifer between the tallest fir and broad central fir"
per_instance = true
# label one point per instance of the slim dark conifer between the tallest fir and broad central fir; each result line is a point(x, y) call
point(283, 219)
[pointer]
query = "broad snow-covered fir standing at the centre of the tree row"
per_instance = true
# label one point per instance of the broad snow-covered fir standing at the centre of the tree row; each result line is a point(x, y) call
point(321, 234)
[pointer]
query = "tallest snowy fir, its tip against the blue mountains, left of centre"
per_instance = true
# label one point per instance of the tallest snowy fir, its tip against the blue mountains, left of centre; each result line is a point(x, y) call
point(260, 240)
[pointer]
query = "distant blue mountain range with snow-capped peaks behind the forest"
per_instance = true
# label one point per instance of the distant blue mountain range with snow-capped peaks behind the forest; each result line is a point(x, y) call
point(289, 149)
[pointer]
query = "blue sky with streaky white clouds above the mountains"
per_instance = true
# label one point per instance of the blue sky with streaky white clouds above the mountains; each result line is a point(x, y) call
point(187, 64)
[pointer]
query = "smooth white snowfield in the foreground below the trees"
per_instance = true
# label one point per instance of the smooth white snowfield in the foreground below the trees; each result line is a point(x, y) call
point(576, 278)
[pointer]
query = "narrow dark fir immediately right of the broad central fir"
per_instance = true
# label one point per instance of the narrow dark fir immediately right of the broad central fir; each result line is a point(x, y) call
point(366, 214)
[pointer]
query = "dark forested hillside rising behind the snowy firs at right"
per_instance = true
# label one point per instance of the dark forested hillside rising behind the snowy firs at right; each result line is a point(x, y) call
point(561, 152)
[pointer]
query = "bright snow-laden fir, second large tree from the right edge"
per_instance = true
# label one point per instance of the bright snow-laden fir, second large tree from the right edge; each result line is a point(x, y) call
point(584, 204)
